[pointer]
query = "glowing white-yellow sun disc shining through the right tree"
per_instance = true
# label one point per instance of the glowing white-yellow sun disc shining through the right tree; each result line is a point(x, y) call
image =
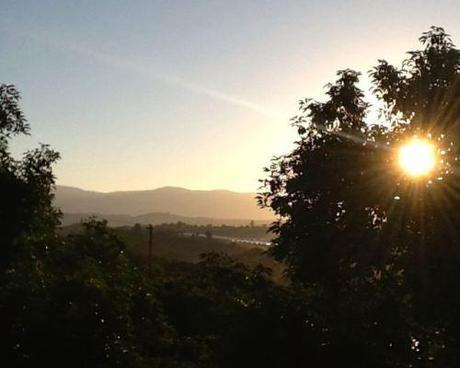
point(417, 157)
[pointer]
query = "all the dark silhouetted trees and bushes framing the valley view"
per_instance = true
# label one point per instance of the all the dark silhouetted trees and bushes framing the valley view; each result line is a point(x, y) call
point(372, 257)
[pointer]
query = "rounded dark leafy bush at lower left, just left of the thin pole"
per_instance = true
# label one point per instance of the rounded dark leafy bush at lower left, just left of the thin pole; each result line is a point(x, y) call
point(101, 309)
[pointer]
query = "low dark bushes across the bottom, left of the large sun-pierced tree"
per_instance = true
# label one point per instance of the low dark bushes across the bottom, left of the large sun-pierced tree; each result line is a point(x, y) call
point(87, 303)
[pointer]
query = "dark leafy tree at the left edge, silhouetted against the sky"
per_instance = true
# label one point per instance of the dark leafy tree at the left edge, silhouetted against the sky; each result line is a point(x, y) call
point(25, 185)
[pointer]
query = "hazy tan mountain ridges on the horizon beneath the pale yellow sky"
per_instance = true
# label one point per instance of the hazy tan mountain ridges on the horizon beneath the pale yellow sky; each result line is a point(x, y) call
point(177, 201)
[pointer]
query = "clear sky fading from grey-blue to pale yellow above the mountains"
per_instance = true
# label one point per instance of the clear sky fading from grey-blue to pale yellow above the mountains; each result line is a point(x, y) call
point(142, 94)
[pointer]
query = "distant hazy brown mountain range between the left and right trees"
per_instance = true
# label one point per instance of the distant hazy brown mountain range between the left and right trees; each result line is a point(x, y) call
point(162, 205)
